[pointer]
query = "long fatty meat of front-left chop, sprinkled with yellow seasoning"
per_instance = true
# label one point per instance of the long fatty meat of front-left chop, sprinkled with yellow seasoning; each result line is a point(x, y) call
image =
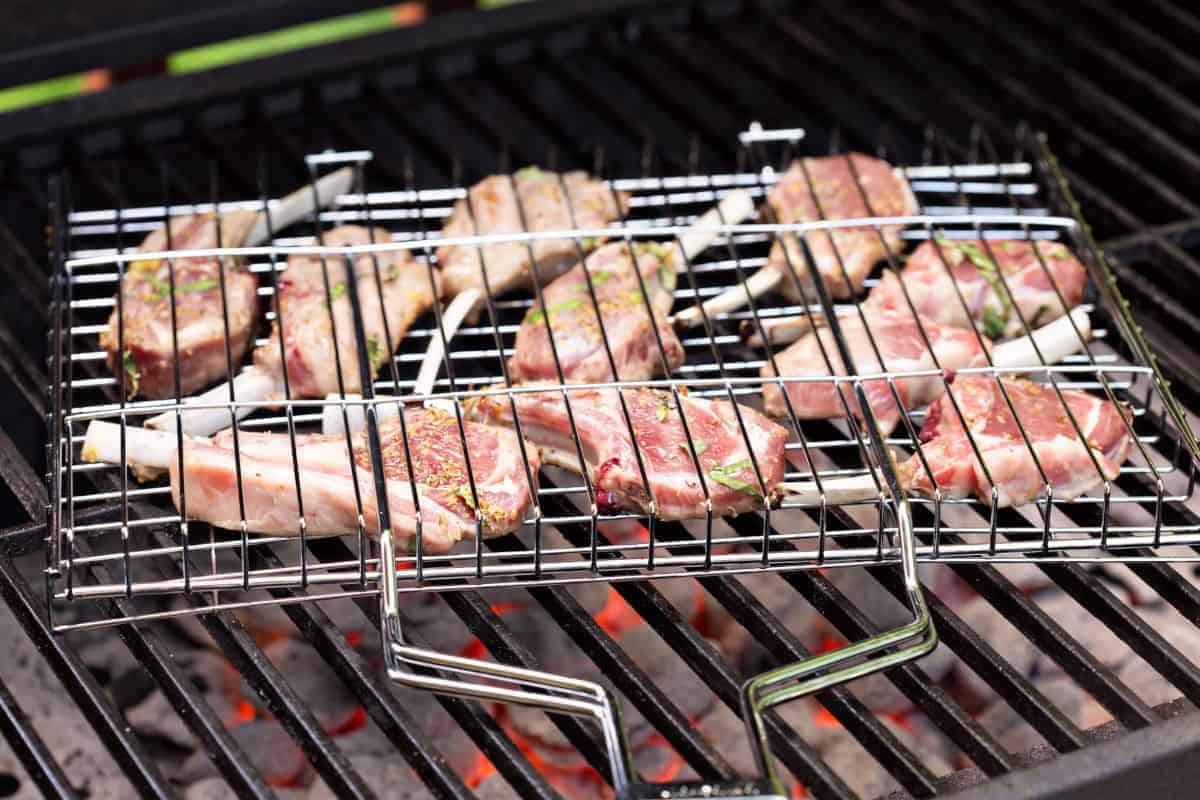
point(327, 482)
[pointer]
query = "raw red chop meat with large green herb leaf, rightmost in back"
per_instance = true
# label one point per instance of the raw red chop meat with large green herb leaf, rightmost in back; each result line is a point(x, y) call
point(997, 279)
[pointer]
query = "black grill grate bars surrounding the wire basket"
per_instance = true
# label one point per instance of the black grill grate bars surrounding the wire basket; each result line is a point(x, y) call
point(655, 92)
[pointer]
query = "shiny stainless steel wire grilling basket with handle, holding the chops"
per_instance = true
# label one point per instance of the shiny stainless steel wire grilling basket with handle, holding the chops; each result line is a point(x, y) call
point(101, 518)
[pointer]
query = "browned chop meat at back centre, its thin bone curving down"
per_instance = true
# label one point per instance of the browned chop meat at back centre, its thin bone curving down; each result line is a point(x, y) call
point(531, 201)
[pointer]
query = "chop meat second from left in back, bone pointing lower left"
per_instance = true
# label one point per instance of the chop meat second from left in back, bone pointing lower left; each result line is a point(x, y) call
point(305, 310)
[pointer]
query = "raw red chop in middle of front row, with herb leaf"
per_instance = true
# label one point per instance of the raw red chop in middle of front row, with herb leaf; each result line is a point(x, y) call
point(676, 488)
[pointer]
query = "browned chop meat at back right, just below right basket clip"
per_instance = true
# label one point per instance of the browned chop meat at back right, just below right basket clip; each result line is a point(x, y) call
point(837, 197)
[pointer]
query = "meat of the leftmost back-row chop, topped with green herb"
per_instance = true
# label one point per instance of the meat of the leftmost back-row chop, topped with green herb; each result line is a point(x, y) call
point(149, 348)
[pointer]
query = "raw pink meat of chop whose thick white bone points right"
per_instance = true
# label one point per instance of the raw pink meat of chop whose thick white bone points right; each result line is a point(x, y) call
point(902, 348)
